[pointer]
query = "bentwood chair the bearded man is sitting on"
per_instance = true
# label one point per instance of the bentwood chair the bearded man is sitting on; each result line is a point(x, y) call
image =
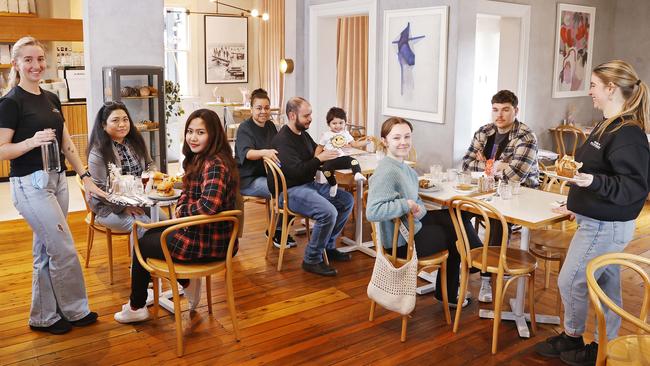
point(282, 212)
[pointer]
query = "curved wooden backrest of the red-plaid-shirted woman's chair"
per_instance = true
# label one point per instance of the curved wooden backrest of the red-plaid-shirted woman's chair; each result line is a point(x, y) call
point(176, 224)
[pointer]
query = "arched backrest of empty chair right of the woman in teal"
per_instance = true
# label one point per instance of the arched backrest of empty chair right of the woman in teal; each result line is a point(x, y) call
point(486, 211)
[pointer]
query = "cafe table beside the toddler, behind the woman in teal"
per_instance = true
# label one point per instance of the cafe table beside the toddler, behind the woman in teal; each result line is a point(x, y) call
point(368, 163)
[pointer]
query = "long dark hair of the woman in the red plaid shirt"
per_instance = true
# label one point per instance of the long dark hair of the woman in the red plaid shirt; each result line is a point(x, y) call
point(217, 146)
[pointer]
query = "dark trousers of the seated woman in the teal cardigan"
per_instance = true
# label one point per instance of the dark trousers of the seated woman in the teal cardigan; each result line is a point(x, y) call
point(438, 234)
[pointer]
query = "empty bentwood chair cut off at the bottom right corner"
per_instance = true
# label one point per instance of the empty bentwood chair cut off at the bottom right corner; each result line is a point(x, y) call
point(625, 350)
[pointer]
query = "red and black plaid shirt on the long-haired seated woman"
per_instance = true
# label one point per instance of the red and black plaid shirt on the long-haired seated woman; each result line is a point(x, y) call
point(208, 194)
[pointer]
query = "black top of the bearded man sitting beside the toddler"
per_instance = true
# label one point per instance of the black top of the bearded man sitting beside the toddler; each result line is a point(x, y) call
point(296, 153)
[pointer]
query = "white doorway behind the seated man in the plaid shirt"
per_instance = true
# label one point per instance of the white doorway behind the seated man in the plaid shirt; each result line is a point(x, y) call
point(501, 56)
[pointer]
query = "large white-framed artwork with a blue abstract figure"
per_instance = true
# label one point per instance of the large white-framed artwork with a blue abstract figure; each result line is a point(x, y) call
point(415, 63)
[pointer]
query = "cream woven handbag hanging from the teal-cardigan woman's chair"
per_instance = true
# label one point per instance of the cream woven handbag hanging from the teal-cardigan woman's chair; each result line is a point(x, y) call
point(394, 288)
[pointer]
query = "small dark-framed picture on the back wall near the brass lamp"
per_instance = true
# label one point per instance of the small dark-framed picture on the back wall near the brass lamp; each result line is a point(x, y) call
point(226, 49)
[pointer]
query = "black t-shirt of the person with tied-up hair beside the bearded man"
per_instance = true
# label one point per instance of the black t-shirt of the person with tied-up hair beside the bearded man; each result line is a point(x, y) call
point(251, 136)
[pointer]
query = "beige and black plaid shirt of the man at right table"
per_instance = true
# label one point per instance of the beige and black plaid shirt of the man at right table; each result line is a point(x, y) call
point(520, 153)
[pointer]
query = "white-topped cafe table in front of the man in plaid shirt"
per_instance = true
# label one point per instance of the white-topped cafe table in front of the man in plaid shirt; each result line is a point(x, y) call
point(532, 209)
